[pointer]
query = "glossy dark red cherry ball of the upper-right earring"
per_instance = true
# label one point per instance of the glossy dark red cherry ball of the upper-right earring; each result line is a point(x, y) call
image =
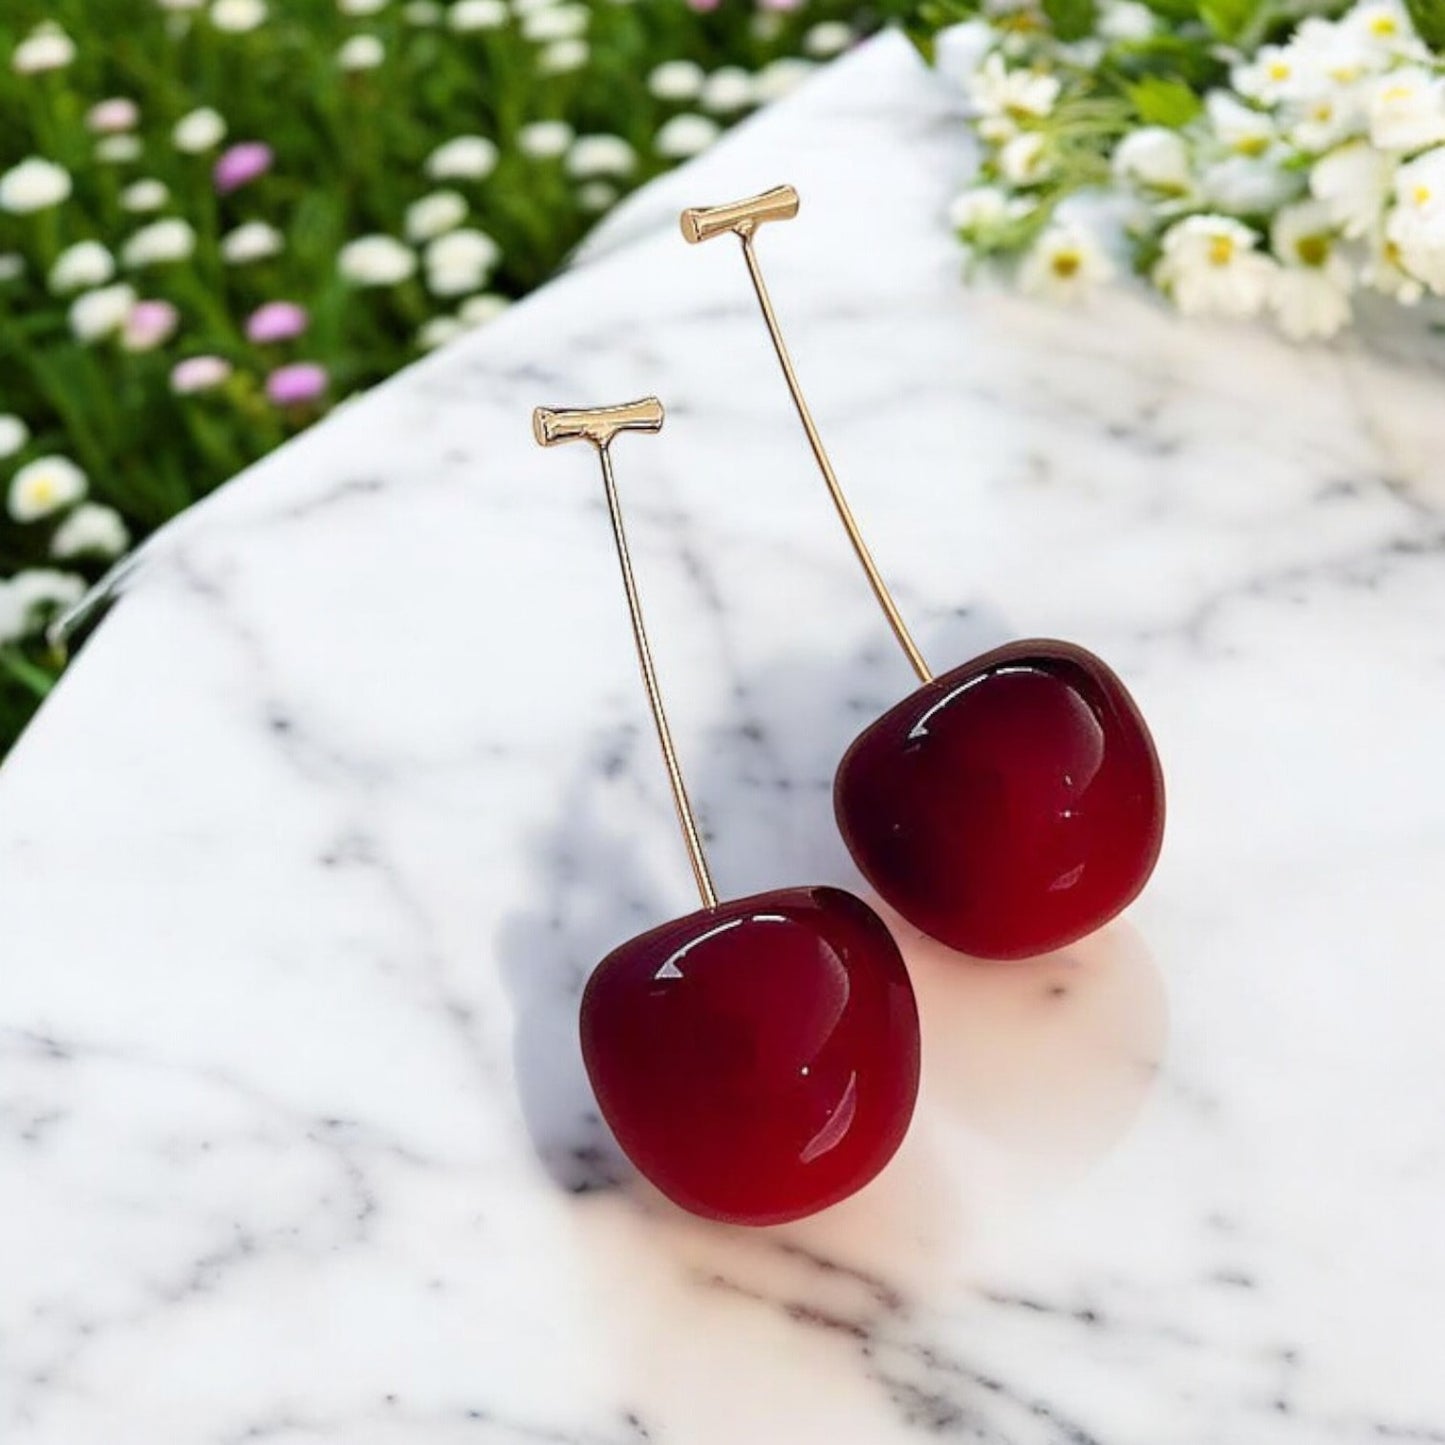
point(1009, 807)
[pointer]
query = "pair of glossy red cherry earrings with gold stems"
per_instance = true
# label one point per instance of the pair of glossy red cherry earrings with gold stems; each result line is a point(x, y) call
point(759, 1060)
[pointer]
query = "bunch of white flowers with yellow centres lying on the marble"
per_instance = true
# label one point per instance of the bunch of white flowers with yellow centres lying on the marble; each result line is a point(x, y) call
point(1258, 158)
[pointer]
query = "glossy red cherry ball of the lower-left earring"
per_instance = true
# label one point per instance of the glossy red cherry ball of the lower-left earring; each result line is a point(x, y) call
point(756, 1061)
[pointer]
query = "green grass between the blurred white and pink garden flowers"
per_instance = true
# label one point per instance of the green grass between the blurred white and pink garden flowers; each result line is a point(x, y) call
point(350, 152)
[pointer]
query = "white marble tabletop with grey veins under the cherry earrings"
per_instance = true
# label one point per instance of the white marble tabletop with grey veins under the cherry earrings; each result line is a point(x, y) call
point(303, 868)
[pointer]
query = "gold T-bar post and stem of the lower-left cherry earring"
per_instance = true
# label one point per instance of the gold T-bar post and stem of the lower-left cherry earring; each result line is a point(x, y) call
point(600, 426)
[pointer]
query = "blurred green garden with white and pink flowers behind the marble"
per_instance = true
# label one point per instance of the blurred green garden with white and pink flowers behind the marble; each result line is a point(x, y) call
point(219, 219)
